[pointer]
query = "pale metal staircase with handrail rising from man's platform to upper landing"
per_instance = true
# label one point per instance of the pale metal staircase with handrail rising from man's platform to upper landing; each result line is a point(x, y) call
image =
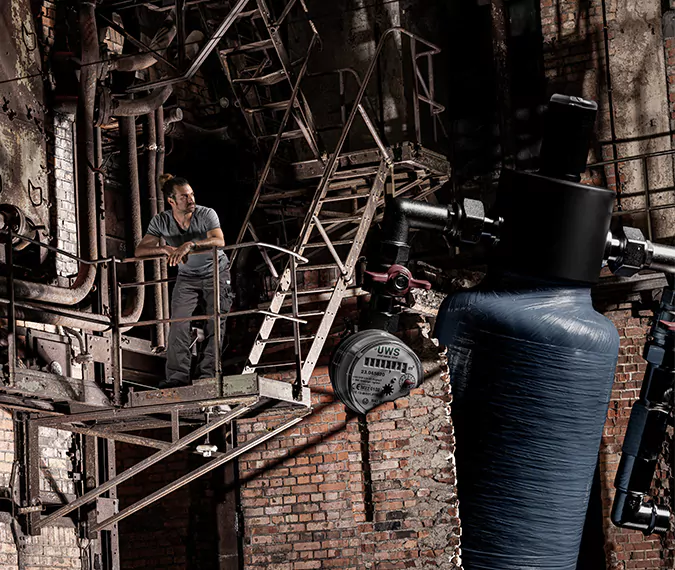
point(335, 234)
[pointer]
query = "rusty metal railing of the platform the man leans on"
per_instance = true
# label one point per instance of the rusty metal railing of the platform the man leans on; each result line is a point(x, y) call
point(115, 322)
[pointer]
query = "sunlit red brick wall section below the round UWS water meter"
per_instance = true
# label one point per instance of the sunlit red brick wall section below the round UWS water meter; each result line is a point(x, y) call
point(331, 493)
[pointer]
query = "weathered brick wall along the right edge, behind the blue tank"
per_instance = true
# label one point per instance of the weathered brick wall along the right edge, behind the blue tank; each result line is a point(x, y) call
point(575, 64)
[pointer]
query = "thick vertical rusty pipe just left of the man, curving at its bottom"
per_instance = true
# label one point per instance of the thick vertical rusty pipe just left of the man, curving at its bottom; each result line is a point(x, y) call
point(134, 306)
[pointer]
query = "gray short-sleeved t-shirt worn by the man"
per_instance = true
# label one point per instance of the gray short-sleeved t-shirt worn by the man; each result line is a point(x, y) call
point(164, 225)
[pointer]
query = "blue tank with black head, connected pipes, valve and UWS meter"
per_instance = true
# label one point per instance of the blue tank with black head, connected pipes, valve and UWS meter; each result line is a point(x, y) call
point(530, 361)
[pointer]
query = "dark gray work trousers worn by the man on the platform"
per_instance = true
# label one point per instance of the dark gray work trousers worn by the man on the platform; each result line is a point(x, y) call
point(187, 294)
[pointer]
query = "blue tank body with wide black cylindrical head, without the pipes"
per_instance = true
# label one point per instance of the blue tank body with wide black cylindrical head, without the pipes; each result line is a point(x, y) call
point(531, 365)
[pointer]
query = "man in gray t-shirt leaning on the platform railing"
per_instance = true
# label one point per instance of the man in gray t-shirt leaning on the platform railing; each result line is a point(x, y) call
point(186, 228)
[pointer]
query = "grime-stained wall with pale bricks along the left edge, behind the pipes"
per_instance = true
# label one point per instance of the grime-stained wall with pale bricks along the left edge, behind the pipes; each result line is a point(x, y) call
point(36, 173)
